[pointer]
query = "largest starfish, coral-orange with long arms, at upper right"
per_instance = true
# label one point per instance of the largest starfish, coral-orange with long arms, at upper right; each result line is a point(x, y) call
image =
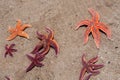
point(93, 26)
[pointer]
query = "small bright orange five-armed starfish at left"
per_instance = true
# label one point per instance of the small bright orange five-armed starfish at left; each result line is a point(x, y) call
point(18, 31)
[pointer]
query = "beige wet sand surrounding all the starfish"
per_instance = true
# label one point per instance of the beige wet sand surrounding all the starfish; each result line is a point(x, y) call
point(61, 16)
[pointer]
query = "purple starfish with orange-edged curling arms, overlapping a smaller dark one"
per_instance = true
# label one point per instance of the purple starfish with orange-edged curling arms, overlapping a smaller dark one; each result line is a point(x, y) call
point(47, 41)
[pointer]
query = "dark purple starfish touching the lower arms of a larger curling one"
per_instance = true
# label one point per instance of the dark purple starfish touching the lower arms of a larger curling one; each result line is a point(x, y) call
point(36, 61)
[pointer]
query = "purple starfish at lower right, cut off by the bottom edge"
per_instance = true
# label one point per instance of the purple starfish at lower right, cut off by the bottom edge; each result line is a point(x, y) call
point(89, 67)
